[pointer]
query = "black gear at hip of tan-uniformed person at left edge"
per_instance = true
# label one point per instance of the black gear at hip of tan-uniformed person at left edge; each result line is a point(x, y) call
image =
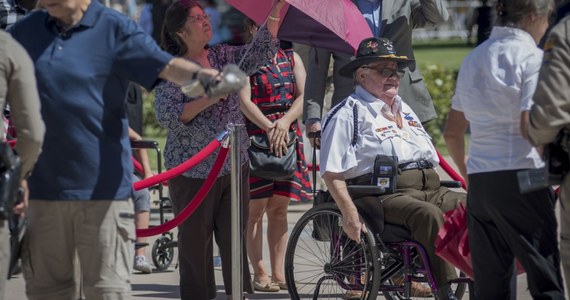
point(10, 169)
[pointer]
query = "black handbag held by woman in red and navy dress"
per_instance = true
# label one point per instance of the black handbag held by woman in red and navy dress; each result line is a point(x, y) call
point(264, 164)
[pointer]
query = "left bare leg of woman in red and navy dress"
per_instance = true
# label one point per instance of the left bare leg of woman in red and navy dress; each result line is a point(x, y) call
point(254, 240)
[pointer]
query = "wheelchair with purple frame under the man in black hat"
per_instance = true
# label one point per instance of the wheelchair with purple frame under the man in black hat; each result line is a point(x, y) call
point(321, 262)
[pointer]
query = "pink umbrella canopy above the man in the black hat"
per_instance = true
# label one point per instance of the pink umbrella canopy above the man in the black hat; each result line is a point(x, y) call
point(332, 24)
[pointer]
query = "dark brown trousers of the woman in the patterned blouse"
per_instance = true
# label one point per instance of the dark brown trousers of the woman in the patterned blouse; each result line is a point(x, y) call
point(195, 247)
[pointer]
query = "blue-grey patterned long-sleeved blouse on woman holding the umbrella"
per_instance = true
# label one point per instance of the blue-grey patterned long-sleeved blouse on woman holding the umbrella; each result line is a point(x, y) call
point(185, 140)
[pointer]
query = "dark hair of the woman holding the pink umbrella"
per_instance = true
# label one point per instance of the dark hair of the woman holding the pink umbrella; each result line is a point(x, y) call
point(174, 20)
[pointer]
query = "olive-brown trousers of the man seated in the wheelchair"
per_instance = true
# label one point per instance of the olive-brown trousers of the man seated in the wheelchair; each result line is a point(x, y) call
point(419, 205)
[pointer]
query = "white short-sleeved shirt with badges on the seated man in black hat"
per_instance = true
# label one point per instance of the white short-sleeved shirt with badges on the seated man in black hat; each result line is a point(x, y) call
point(376, 135)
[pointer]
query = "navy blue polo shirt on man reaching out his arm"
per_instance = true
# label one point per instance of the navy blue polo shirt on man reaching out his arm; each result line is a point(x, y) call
point(83, 76)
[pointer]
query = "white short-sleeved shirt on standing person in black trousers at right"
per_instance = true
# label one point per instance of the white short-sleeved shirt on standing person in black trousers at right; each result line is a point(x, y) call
point(496, 83)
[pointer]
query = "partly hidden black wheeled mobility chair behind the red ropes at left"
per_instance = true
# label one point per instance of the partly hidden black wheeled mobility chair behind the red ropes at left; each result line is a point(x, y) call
point(162, 252)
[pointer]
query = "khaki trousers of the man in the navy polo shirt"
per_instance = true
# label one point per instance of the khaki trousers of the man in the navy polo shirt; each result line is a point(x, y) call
point(101, 232)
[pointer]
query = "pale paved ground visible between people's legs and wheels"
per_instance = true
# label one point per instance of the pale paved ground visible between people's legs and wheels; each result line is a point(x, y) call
point(164, 285)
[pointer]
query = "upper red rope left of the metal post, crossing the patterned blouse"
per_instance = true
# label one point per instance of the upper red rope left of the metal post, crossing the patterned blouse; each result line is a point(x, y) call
point(189, 164)
